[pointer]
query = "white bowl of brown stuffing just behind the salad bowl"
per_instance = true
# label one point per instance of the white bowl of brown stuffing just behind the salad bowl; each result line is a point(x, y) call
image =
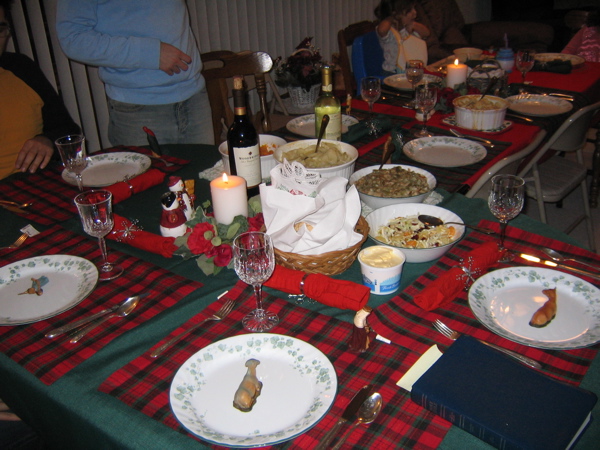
point(393, 184)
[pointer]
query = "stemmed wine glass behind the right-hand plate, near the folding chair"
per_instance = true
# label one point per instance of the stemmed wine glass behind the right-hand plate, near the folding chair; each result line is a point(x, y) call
point(506, 201)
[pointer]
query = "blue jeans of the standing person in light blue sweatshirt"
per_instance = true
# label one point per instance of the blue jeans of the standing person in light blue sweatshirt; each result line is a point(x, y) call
point(186, 122)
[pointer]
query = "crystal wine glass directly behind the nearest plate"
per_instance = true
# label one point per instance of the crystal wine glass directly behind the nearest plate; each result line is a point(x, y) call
point(254, 262)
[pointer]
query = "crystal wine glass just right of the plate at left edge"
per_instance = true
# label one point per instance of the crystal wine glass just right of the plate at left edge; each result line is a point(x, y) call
point(95, 211)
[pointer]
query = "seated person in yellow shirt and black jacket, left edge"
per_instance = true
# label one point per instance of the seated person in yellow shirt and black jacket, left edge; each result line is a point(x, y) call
point(32, 115)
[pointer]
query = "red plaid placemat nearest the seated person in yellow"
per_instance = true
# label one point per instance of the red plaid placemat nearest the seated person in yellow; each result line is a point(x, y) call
point(52, 196)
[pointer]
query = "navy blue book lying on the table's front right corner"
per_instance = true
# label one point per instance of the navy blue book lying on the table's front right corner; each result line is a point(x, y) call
point(501, 401)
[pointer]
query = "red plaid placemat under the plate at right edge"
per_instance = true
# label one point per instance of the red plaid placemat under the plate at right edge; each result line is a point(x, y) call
point(402, 321)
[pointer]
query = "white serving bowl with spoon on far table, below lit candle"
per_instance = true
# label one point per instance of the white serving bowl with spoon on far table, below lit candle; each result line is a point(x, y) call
point(481, 120)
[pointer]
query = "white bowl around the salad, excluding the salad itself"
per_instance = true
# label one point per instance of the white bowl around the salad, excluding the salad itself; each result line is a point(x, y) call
point(382, 216)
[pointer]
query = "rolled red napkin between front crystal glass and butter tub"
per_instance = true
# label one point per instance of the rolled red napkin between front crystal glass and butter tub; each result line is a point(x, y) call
point(337, 293)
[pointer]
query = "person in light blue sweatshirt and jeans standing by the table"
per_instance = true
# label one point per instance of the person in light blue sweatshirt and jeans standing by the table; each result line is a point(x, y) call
point(149, 62)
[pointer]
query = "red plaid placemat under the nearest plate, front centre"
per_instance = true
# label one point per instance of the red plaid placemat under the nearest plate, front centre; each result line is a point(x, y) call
point(144, 383)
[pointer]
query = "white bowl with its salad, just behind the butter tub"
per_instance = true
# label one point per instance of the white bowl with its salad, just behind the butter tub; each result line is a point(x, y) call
point(399, 226)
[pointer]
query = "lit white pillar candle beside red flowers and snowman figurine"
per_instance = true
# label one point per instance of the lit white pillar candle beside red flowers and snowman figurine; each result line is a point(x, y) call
point(229, 198)
